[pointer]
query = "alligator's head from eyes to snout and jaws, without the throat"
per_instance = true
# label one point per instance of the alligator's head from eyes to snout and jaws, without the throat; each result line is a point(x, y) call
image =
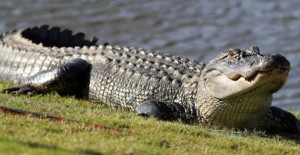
point(237, 72)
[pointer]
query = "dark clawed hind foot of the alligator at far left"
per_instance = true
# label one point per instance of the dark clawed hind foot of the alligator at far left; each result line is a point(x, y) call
point(20, 90)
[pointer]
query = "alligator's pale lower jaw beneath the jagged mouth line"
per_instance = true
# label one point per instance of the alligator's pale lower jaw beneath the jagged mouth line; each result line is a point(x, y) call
point(221, 86)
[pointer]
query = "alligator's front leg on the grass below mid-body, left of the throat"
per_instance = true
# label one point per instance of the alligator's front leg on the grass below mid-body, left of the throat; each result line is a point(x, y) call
point(163, 110)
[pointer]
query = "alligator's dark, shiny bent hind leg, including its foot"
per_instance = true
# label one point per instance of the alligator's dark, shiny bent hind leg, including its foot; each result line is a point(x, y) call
point(71, 78)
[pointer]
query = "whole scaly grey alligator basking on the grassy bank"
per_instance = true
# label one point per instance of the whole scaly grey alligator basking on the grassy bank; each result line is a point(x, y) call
point(233, 90)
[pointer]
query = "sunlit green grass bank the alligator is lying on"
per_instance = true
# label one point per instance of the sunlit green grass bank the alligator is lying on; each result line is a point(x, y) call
point(30, 135)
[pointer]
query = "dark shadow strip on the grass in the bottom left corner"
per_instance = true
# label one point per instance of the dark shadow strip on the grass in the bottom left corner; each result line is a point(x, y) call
point(50, 148)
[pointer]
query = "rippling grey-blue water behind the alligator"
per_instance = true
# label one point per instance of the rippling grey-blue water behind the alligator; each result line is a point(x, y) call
point(192, 28)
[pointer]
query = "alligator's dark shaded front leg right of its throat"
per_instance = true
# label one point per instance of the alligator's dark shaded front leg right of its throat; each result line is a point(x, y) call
point(280, 120)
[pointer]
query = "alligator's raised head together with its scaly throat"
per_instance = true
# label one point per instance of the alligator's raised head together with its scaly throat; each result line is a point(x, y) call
point(236, 87)
